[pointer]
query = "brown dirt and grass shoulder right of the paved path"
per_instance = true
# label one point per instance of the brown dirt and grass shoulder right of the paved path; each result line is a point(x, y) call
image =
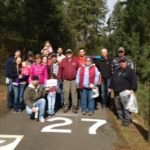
point(135, 135)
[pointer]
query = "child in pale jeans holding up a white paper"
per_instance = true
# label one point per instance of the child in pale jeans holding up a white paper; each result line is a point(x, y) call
point(52, 84)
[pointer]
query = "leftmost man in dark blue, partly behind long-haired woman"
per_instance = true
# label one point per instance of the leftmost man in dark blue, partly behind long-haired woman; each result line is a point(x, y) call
point(9, 62)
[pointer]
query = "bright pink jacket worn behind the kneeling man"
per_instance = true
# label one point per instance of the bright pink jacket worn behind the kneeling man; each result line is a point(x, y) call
point(40, 70)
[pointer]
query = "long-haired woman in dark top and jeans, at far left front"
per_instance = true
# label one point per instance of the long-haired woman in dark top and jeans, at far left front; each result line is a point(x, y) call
point(19, 81)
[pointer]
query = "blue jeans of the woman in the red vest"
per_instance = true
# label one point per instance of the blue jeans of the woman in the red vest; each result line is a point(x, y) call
point(87, 102)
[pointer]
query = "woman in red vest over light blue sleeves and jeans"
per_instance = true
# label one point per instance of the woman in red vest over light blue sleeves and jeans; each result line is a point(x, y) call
point(87, 78)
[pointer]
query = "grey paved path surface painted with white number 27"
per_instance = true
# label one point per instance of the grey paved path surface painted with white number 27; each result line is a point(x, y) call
point(74, 132)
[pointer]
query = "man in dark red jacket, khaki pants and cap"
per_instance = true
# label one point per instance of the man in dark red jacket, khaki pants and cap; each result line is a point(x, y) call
point(67, 73)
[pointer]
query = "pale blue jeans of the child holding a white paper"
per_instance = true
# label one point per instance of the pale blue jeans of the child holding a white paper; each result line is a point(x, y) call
point(51, 103)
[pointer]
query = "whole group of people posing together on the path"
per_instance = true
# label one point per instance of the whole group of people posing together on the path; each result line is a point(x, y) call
point(38, 83)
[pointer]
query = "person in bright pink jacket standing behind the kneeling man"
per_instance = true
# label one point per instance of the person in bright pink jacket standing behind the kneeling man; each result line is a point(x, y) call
point(38, 69)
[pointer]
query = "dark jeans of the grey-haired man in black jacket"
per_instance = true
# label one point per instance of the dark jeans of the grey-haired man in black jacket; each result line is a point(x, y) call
point(104, 91)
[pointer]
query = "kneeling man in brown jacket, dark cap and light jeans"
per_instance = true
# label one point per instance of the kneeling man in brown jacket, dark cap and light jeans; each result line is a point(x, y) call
point(34, 99)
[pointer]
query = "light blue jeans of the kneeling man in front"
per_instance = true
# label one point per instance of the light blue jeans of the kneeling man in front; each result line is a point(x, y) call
point(40, 104)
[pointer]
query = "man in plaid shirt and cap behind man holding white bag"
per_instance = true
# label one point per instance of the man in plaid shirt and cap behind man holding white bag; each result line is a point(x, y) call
point(121, 54)
